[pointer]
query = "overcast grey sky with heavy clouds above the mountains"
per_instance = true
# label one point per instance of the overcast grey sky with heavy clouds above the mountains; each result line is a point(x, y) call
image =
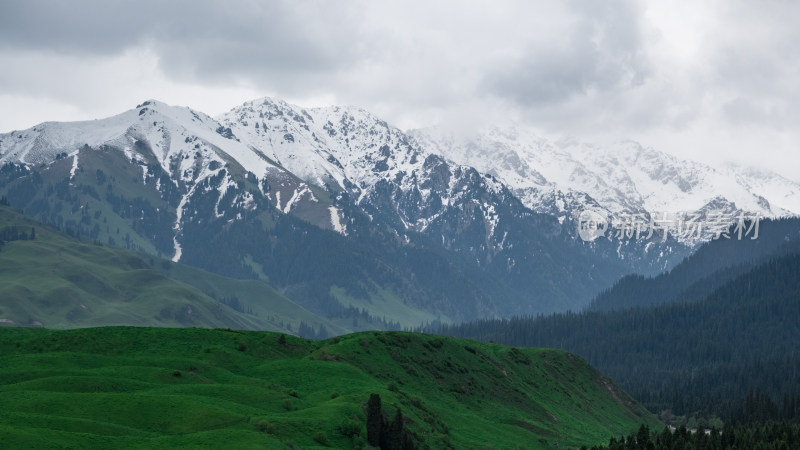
point(710, 80)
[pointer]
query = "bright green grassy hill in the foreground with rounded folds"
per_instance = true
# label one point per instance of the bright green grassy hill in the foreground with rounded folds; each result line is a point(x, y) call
point(171, 388)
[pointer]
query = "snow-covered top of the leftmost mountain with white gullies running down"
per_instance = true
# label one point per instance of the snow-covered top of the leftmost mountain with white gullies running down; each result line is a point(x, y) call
point(181, 152)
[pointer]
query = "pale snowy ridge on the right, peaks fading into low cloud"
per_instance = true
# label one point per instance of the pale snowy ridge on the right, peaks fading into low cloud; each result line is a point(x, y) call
point(565, 177)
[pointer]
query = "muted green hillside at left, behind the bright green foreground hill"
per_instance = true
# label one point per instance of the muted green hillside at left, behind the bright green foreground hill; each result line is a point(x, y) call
point(60, 282)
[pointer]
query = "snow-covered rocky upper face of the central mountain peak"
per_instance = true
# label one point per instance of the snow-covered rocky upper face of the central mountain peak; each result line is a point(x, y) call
point(348, 151)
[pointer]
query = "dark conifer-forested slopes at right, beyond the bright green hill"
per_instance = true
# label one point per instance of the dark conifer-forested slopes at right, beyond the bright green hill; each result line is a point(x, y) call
point(732, 354)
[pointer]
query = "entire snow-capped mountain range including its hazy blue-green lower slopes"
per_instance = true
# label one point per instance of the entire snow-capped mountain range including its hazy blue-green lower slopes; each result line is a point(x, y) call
point(345, 214)
